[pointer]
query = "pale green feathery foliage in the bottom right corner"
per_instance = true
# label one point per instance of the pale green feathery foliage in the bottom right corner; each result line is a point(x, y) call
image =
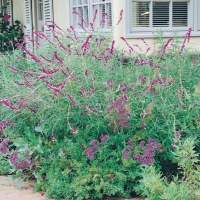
point(183, 186)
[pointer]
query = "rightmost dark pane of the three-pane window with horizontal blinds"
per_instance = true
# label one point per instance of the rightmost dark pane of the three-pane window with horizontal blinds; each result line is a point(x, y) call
point(180, 14)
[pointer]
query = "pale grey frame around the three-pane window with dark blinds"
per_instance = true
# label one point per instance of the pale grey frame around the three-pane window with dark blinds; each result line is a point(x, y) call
point(148, 32)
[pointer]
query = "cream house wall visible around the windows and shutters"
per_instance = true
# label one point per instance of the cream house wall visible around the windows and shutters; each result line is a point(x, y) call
point(60, 12)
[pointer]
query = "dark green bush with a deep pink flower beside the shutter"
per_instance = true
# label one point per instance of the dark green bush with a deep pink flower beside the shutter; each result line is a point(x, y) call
point(10, 35)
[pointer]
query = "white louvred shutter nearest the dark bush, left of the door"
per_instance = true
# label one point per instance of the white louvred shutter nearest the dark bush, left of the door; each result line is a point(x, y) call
point(28, 19)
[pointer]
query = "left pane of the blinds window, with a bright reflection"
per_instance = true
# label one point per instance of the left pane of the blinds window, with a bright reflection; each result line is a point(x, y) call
point(140, 14)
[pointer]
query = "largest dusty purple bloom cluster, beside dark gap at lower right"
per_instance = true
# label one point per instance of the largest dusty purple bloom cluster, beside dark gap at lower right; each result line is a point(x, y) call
point(148, 152)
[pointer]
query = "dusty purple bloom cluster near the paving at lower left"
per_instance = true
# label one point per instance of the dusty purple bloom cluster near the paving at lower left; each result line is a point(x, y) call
point(23, 164)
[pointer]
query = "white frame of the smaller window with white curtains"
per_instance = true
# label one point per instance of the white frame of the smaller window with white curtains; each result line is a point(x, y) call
point(90, 5)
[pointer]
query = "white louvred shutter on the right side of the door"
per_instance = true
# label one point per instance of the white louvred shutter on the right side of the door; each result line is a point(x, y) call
point(47, 6)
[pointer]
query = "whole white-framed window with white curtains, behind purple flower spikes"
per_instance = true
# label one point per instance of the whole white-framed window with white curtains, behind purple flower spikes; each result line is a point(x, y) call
point(86, 9)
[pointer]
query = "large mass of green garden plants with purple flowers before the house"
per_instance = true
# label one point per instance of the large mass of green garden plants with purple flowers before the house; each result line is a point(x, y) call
point(83, 118)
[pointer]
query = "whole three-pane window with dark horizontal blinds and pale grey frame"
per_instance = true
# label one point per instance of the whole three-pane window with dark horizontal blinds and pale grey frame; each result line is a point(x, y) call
point(146, 16)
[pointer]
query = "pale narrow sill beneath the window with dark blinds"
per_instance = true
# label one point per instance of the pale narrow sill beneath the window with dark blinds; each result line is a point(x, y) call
point(165, 34)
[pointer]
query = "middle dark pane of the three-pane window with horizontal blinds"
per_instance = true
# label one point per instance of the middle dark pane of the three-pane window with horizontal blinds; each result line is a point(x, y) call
point(160, 14)
